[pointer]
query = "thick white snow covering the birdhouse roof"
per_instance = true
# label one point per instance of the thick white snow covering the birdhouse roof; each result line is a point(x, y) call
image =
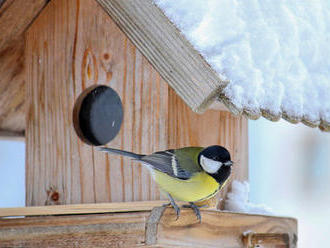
point(274, 53)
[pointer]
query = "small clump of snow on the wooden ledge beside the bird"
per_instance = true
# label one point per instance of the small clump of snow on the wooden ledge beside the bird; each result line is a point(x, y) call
point(237, 200)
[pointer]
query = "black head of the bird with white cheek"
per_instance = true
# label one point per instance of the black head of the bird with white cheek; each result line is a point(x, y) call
point(215, 160)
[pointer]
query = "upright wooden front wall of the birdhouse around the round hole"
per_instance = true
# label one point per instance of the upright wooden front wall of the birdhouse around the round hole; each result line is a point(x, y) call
point(71, 46)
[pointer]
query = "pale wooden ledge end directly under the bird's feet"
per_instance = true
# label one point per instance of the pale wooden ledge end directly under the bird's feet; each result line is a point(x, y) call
point(219, 229)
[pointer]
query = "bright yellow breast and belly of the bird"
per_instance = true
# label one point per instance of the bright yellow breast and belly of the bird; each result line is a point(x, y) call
point(200, 187)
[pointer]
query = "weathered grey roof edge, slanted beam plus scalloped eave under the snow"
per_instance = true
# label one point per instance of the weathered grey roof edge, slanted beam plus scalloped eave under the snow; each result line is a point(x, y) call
point(154, 34)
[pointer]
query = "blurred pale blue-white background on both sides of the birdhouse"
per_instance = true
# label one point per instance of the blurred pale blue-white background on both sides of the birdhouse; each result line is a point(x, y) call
point(289, 172)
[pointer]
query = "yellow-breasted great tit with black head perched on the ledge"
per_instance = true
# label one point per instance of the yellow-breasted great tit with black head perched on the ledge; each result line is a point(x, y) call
point(190, 174)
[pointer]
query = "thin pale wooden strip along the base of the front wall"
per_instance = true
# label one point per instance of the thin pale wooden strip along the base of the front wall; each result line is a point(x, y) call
point(92, 208)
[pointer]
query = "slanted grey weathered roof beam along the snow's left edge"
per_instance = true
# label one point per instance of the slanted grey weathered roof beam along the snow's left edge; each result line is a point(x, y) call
point(167, 50)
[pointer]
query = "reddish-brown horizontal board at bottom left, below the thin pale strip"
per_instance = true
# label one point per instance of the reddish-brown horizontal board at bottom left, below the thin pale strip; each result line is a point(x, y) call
point(106, 230)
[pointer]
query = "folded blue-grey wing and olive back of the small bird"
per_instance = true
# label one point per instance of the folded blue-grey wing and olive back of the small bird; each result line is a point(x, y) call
point(176, 163)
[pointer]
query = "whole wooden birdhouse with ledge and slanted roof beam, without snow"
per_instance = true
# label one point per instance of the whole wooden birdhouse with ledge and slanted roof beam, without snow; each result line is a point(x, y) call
point(55, 53)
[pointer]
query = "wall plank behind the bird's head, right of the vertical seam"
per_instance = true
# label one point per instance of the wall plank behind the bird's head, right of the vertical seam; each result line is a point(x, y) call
point(187, 128)
